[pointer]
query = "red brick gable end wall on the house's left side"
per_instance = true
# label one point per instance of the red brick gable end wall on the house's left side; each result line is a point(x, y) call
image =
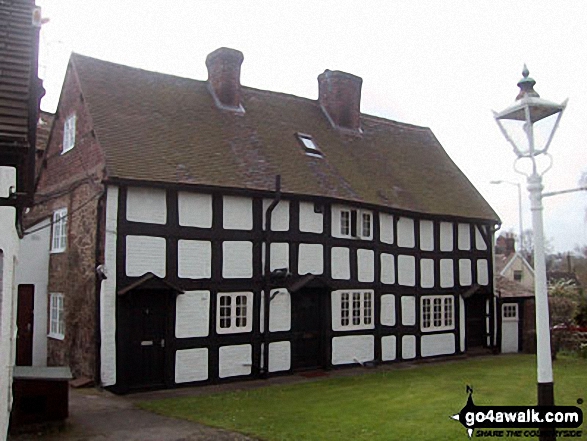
point(73, 181)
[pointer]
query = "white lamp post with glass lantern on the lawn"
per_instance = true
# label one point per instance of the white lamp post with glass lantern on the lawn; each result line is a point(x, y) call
point(529, 126)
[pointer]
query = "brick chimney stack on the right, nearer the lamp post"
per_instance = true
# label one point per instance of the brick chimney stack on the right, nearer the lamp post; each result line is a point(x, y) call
point(340, 98)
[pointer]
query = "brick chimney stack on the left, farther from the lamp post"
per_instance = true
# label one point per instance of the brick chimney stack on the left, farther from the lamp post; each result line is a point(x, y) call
point(224, 67)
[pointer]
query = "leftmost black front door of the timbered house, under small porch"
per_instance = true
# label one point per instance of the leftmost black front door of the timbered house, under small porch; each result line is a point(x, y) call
point(148, 321)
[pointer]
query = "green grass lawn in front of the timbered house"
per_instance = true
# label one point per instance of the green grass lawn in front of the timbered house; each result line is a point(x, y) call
point(400, 404)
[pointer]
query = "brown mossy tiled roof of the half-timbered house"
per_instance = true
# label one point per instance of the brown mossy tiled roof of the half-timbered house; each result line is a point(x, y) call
point(157, 127)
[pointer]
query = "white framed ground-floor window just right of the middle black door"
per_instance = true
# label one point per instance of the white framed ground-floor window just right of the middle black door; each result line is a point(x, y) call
point(353, 309)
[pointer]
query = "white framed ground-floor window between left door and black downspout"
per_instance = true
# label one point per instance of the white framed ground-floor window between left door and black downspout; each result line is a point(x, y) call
point(234, 312)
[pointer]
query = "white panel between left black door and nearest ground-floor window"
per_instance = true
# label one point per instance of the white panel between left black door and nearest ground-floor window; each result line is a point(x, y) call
point(192, 314)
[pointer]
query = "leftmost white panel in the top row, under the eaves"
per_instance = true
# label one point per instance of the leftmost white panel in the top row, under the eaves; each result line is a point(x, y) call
point(147, 205)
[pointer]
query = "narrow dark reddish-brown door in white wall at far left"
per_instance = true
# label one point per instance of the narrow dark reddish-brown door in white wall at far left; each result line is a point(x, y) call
point(24, 321)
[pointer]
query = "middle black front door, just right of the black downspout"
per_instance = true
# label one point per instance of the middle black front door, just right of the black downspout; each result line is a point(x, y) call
point(307, 318)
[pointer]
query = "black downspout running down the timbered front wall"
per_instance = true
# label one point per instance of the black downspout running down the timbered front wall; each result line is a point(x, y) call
point(267, 273)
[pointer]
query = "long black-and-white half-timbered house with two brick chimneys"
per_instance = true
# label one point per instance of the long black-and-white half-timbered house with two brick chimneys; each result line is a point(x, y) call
point(204, 231)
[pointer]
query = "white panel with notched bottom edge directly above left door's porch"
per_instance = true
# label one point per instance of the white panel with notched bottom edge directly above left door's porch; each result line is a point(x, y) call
point(145, 254)
